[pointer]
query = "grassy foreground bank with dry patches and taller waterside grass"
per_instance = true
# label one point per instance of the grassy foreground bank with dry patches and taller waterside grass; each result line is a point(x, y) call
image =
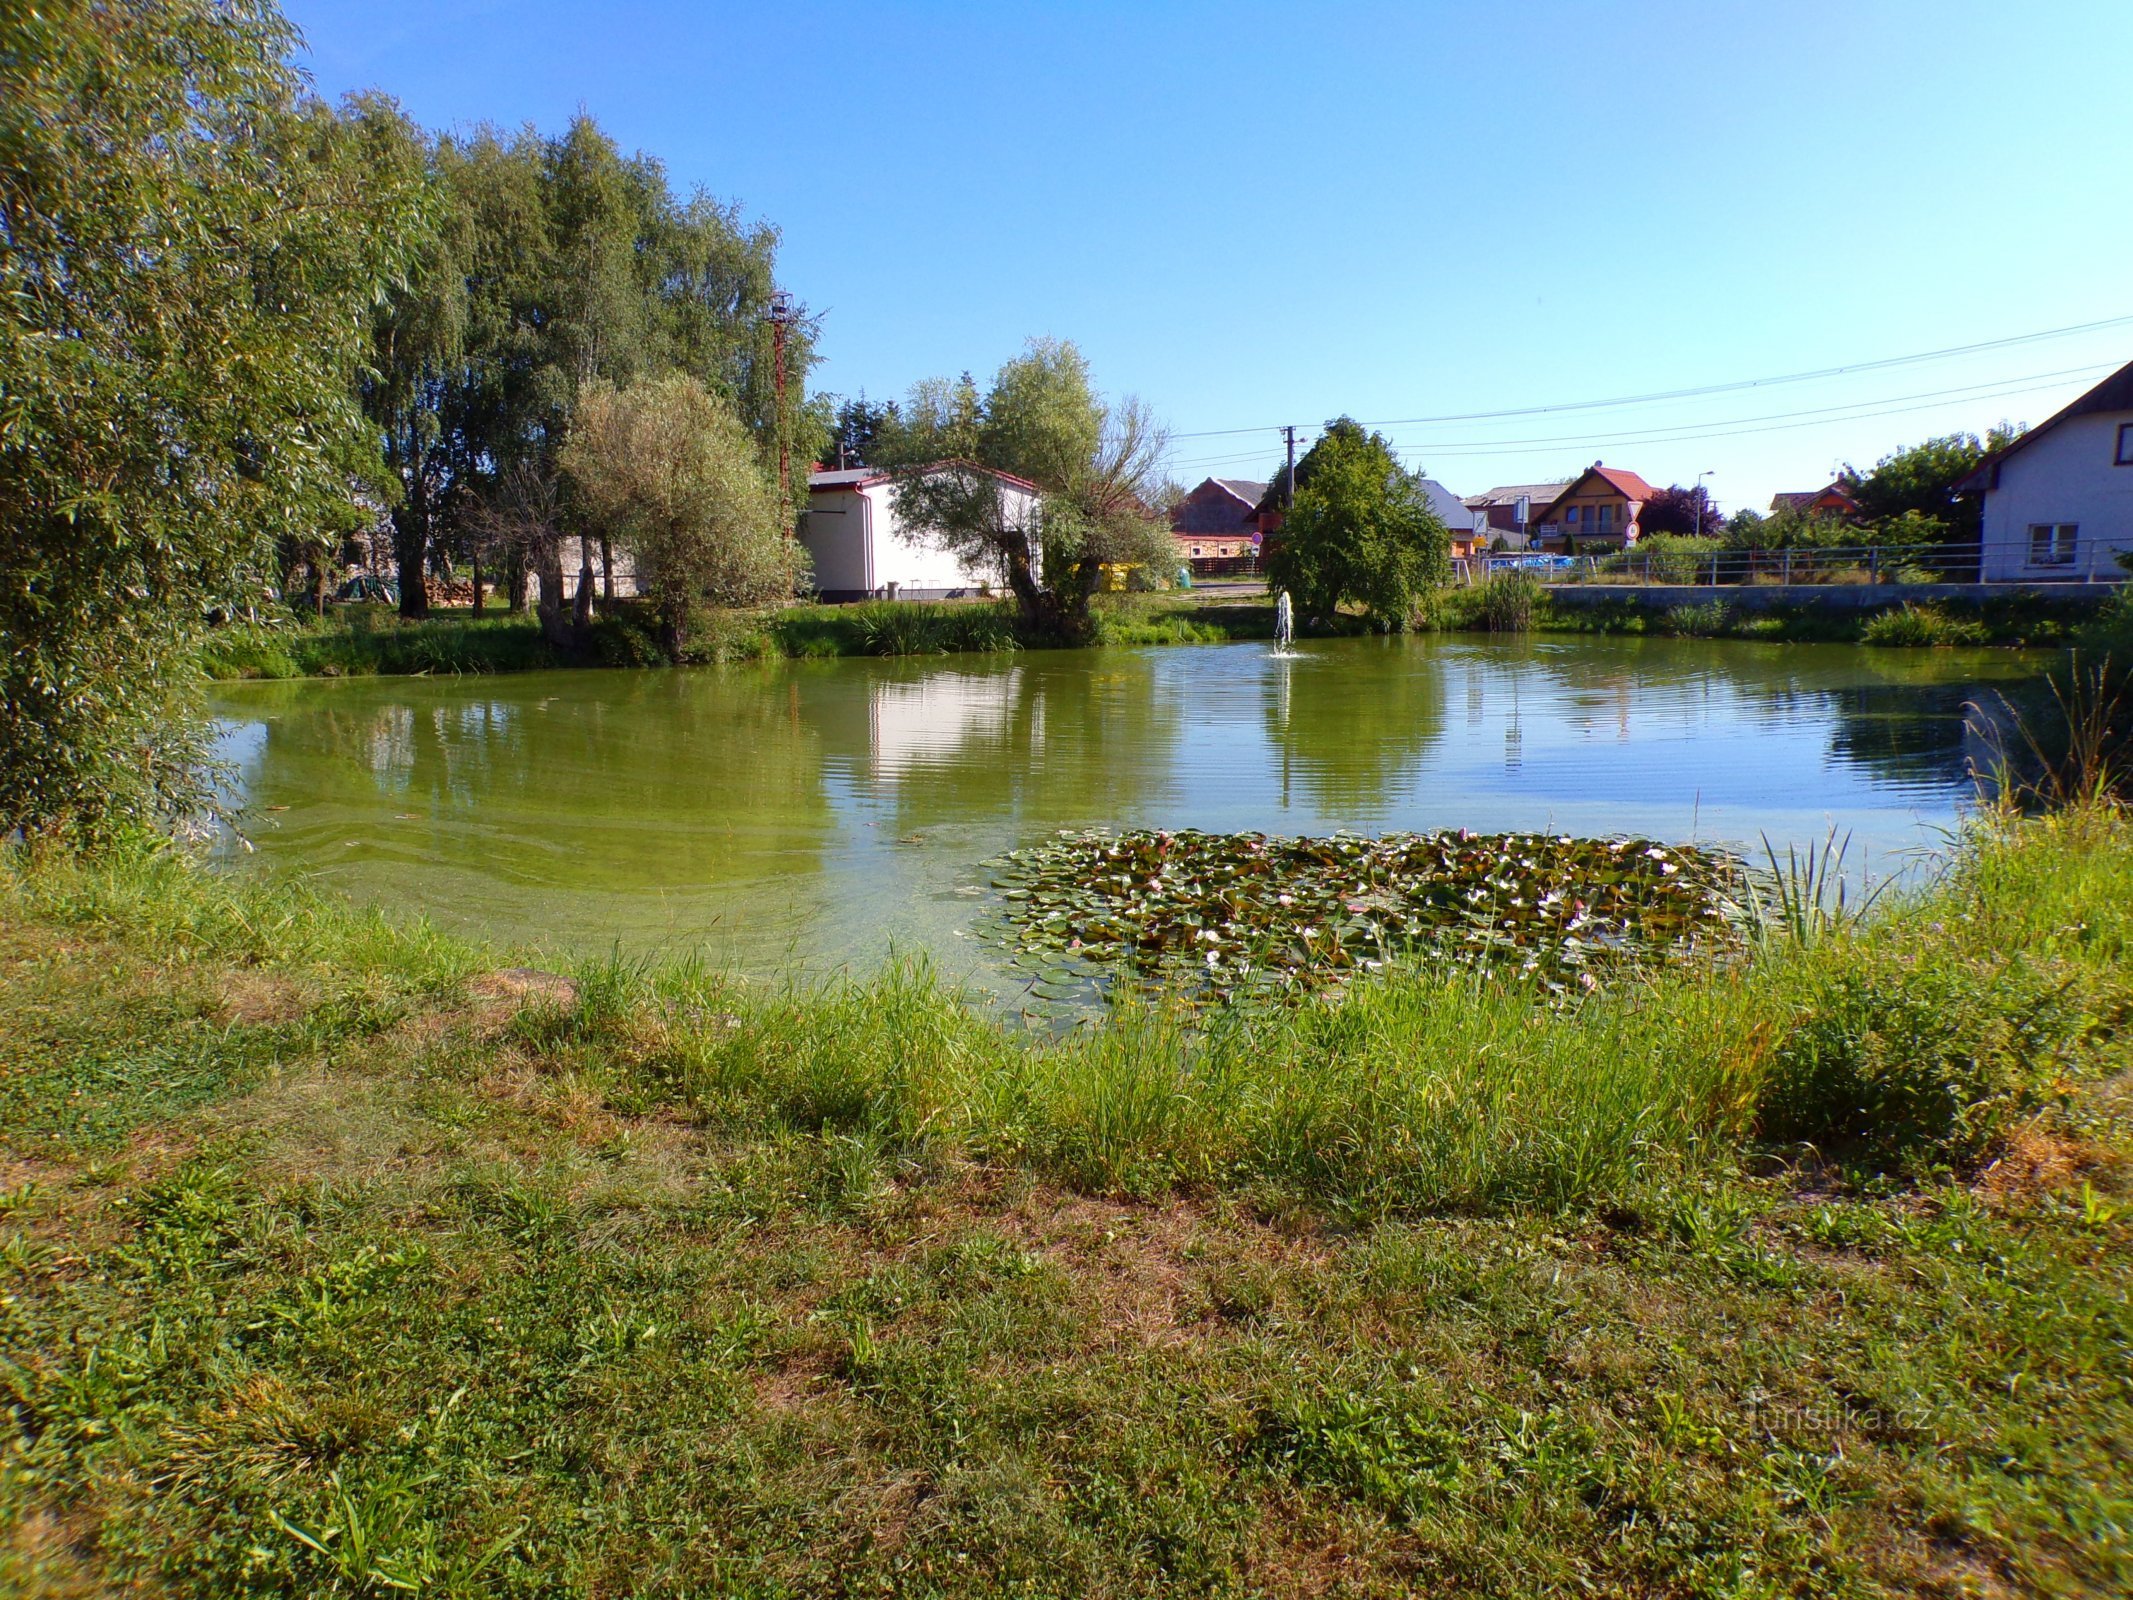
point(342, 1262)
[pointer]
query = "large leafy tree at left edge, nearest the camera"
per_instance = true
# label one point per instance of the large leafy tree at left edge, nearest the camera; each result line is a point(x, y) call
point(189, 255)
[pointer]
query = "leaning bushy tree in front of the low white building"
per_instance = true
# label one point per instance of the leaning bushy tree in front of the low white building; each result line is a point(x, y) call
point(1093, 462)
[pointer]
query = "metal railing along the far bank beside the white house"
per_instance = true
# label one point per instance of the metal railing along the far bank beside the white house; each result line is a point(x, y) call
point(1853, 564)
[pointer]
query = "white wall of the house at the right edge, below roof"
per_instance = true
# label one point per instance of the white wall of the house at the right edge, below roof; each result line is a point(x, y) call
point(2066, 477)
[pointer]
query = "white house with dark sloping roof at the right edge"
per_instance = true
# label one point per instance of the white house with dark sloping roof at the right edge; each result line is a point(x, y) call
point(2059, 500)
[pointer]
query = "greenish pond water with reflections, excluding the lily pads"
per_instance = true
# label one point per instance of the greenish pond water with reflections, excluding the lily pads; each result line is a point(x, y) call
point(814, 816)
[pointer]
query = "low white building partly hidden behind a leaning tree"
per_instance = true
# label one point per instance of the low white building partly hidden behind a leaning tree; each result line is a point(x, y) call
point(863, 551)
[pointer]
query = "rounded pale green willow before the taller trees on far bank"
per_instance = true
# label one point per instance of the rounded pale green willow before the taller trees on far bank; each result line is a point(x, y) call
point(677, 475)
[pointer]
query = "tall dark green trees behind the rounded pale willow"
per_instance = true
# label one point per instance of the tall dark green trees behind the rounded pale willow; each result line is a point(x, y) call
point(558, 263)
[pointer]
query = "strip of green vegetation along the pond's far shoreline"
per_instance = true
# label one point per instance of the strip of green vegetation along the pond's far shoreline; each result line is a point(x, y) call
point(357, 641)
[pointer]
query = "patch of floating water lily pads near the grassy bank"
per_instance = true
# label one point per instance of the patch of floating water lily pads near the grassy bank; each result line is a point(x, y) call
point(1217, 916)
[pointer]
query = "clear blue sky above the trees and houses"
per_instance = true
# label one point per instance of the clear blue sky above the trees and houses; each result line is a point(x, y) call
point(1277, 214)
